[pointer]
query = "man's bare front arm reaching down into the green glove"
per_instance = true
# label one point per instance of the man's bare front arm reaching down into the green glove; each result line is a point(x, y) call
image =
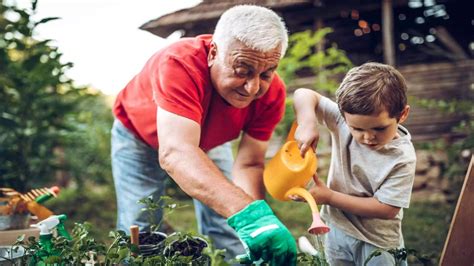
point(190, 167)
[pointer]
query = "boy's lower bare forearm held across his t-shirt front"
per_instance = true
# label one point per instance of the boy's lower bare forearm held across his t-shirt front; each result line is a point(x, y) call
point(363, 206)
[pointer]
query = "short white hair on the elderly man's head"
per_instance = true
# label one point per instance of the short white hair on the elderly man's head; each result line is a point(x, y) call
point(256, 27)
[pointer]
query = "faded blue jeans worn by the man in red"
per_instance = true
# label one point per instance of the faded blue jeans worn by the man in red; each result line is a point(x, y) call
point(137, 174)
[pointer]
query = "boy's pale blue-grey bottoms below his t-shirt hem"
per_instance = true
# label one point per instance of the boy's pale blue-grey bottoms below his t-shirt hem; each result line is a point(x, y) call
point(342, 249)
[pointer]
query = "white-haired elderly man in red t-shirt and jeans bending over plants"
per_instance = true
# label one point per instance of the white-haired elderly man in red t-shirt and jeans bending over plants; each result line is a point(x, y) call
point(176, 117)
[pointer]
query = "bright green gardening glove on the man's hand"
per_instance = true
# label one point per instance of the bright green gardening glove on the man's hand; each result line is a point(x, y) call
point(263, 235)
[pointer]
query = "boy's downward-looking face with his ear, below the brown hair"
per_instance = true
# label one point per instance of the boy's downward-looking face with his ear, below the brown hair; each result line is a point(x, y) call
point(374, 131)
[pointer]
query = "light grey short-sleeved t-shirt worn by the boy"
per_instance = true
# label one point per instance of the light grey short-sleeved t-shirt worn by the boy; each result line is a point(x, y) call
point(386, 174)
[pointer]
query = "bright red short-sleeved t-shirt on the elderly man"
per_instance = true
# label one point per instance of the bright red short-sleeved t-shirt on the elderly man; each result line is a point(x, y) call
point(177, 79)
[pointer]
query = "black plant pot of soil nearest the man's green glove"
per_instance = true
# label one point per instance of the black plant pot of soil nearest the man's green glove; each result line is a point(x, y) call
point(188, 247)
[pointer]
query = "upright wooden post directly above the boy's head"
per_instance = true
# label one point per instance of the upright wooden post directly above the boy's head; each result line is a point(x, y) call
point(387, 31)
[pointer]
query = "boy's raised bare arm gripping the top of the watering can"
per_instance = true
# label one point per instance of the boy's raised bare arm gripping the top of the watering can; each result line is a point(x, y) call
point(305, 103)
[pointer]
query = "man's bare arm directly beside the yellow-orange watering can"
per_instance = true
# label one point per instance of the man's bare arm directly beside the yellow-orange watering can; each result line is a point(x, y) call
point(248, 167)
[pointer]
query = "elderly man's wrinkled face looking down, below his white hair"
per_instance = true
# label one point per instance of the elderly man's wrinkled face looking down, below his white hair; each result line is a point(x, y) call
point(240, 74)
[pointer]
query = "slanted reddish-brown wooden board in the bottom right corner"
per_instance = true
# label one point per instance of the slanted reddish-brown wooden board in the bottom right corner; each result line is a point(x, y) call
point(459, 246)
